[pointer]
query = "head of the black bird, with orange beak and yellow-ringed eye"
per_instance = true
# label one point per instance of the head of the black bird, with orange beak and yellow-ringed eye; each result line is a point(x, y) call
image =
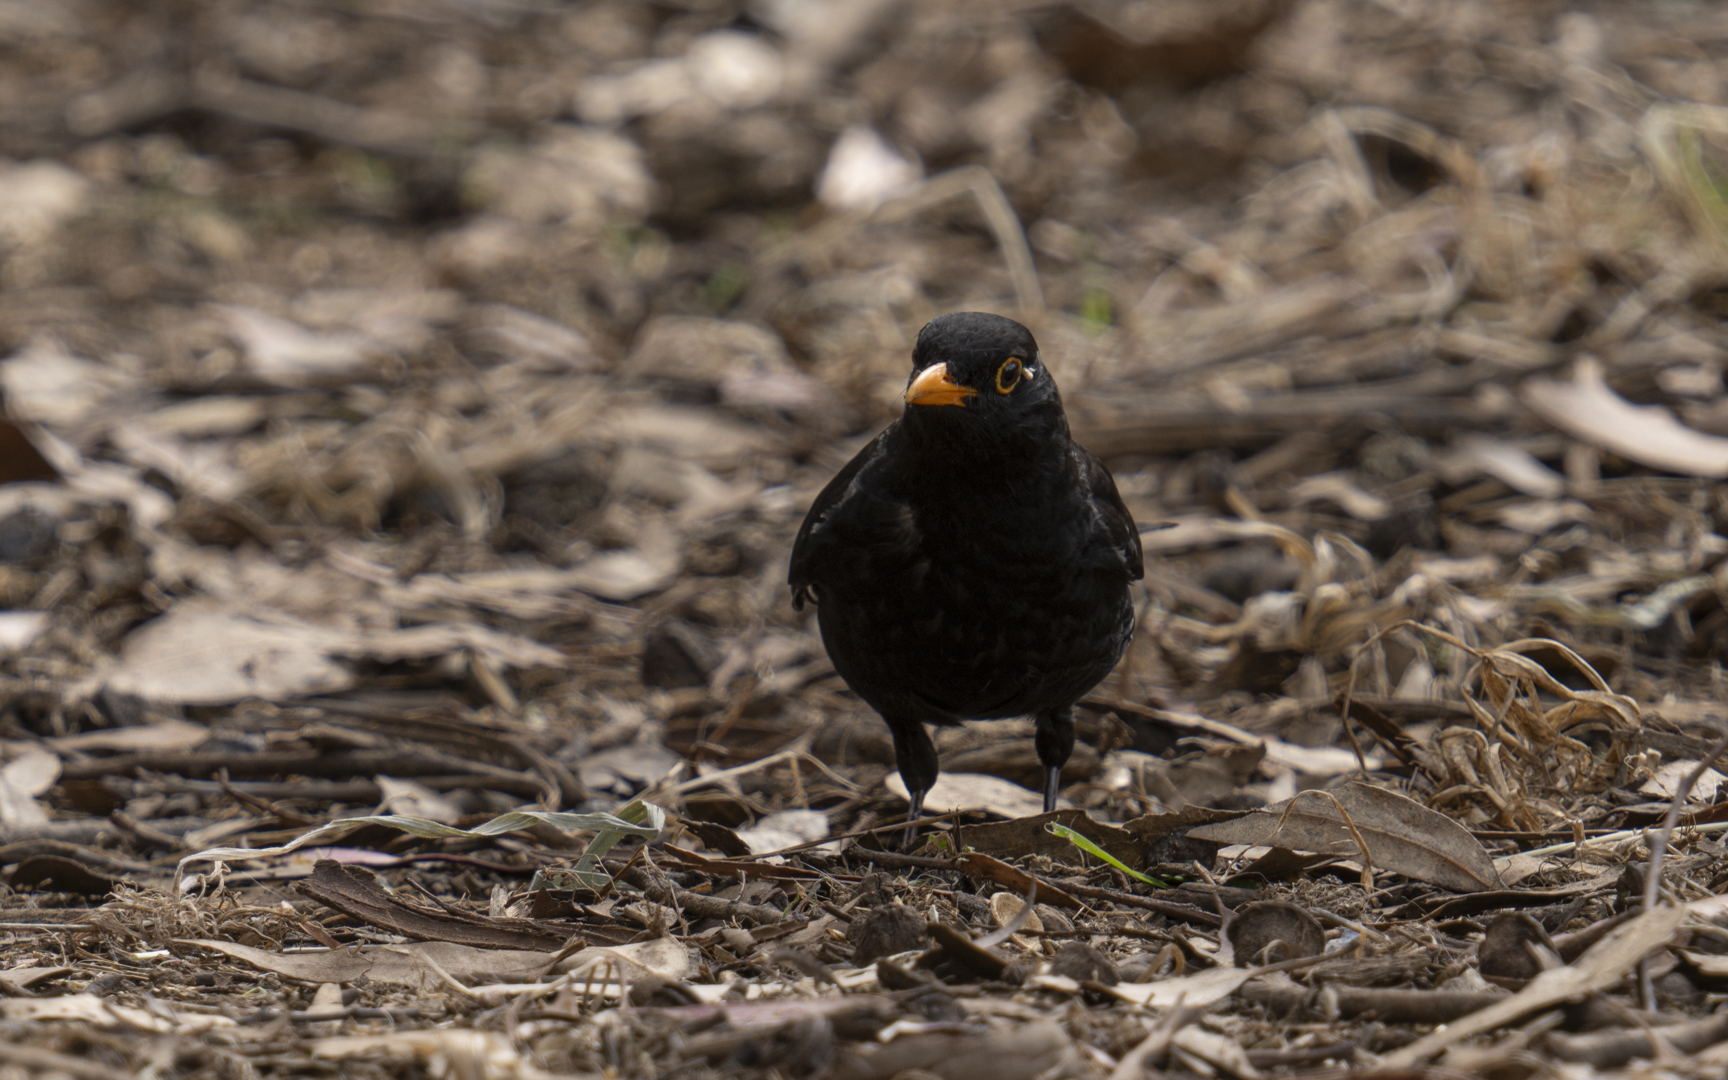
point(975, 372)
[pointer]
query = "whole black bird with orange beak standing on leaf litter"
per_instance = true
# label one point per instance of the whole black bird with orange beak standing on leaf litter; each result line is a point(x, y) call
point(972, 562)
